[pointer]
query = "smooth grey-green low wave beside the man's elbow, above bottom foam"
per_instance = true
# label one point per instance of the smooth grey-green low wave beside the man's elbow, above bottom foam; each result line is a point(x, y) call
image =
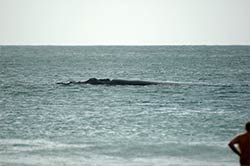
point(174, 149)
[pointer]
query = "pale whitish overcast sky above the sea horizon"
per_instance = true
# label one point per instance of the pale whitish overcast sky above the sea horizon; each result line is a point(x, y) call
point(124, 22)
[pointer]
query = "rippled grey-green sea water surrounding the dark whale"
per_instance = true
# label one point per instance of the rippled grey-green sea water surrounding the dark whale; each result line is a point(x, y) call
point(186, 122)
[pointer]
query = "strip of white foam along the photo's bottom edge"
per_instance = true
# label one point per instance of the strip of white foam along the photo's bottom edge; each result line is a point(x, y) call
point(101, 160)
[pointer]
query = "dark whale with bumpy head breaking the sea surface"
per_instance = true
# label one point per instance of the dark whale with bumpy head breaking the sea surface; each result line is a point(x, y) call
point(95, 81)
